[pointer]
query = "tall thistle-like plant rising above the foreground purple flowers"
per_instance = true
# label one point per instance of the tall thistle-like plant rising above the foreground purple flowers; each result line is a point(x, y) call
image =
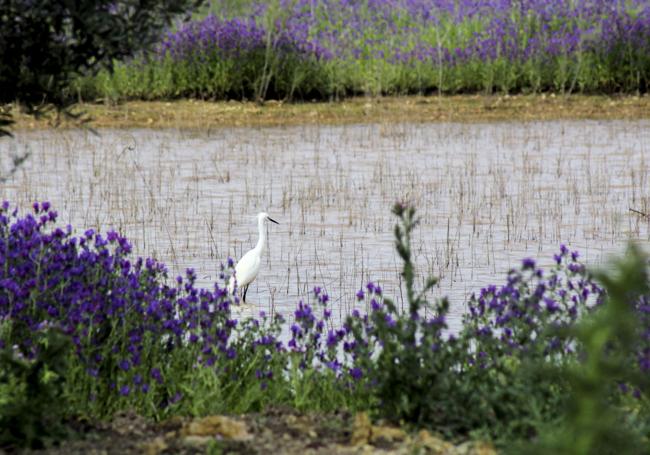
point(403, 358)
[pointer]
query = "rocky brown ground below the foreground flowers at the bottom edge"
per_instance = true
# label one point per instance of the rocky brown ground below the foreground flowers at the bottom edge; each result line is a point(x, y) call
point(275, 432)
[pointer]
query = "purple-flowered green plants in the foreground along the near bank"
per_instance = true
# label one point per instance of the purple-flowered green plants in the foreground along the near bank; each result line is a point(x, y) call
point(82, 320)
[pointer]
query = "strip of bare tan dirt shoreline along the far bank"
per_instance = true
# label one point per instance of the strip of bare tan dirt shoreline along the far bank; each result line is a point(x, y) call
point(195, 114)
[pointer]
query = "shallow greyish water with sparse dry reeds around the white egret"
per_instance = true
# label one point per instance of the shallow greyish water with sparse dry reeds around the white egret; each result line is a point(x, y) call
point(488, 194)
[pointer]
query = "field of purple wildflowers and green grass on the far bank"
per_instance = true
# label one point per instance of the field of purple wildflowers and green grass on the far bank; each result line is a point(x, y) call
point(326, 49)
